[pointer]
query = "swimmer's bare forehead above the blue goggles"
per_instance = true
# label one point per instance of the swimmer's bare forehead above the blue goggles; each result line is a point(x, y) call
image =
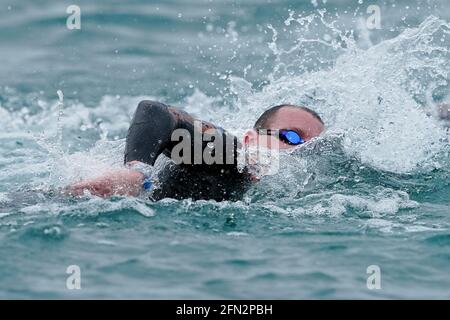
point(296, 119)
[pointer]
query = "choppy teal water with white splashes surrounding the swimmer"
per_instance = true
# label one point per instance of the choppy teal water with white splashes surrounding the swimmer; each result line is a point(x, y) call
point(373, 190)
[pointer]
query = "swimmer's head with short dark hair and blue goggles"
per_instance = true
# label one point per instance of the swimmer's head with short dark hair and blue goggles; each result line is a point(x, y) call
point(284, 127)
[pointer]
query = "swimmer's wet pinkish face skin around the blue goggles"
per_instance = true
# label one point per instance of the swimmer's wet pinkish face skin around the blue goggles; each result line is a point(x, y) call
point(301, 121)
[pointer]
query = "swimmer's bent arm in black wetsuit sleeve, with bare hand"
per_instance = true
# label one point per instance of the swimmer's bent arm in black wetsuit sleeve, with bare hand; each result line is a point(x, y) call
point(149, 135)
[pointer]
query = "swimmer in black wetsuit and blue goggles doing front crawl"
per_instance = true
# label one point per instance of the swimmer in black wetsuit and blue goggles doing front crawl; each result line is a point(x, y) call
point(151, 135)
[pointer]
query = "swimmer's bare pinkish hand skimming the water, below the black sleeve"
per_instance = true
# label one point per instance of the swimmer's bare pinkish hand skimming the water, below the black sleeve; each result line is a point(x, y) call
point(121, 182)
